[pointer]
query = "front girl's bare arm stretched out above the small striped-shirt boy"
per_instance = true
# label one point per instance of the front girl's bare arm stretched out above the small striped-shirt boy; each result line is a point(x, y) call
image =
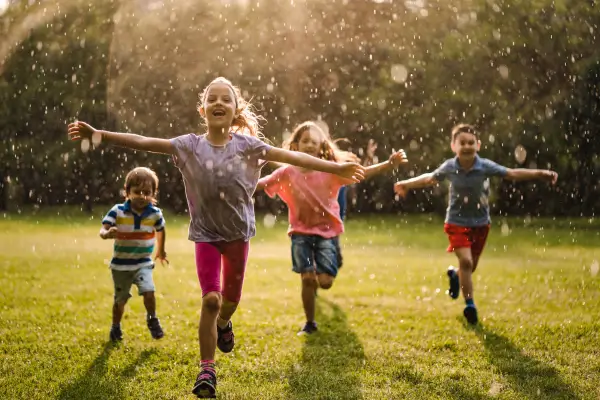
point(81, 130)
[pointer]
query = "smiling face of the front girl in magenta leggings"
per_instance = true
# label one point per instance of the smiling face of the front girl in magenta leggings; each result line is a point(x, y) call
point(219, 106)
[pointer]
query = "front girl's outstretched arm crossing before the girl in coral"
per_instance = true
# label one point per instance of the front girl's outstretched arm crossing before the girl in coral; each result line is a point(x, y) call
point(352, 171)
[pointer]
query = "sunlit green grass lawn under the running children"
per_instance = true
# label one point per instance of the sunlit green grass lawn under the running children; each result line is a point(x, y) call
point(387, 328)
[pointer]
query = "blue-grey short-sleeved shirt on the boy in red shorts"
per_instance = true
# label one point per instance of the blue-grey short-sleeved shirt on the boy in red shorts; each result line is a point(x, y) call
point(469, 190)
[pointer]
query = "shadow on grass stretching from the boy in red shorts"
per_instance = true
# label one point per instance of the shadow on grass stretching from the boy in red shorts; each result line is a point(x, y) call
point(528, 377)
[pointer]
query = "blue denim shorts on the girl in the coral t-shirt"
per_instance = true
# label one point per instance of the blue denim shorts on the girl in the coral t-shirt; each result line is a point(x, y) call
point(314, 252)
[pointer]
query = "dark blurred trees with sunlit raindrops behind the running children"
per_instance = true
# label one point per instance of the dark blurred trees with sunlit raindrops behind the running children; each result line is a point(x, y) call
point(401, 73)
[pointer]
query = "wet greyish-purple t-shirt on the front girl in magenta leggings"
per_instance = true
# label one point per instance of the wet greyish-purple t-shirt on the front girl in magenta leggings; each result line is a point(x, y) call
point(219, 183)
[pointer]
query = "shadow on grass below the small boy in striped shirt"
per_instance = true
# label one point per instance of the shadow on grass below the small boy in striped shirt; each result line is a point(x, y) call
point(98, 383)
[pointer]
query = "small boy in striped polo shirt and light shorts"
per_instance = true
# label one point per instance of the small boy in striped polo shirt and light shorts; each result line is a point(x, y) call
point(135, 225)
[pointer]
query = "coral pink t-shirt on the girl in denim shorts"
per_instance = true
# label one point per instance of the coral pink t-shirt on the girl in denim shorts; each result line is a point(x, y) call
point(311, 197)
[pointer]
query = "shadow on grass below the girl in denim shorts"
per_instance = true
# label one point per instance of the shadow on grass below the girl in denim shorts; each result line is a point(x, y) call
point(332, 359)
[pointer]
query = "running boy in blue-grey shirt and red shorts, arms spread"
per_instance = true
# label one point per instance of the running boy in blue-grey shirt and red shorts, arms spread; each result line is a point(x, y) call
point(467, 220)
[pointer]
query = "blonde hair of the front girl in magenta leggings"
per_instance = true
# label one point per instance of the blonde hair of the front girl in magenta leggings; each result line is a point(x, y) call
point(246, 121)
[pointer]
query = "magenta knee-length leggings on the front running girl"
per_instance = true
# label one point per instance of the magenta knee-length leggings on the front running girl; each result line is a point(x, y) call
point(208, 266)
